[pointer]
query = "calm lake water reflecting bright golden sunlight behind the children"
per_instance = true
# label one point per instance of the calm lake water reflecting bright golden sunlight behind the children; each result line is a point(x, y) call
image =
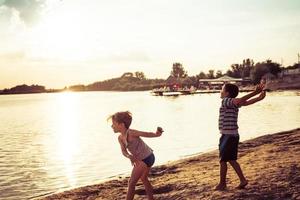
point(54, 142)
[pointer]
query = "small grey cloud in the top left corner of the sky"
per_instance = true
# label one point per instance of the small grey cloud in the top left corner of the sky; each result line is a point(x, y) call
point(28, 10)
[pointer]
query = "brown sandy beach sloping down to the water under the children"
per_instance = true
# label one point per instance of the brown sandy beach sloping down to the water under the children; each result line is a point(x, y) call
point(271, 163)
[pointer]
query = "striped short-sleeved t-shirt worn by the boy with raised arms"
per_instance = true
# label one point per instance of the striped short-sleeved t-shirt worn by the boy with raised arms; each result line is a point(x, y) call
point(228, 117)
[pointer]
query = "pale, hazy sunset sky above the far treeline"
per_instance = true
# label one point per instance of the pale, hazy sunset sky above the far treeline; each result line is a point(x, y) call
point(58, 43)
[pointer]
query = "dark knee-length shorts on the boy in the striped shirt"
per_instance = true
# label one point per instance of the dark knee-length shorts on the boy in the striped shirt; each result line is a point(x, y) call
point(228, 147)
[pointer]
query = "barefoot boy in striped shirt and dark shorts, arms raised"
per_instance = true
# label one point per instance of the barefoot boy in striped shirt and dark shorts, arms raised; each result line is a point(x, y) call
point(228, 145)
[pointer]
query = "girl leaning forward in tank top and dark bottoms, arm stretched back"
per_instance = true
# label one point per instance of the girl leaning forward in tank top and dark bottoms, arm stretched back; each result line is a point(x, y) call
point(135, 149)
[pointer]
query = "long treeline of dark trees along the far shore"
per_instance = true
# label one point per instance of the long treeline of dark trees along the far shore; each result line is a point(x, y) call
point(137, 81)
